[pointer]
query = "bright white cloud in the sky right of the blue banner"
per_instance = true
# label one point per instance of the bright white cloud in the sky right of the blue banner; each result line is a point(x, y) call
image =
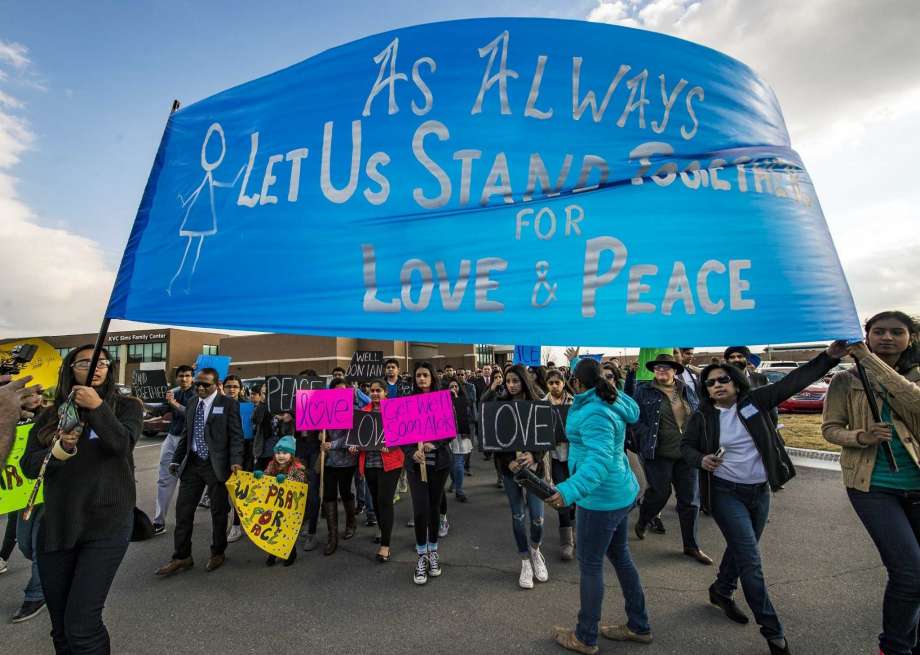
point(846, 75)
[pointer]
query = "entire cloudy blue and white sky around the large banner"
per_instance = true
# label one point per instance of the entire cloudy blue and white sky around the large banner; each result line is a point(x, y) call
point(85, 90)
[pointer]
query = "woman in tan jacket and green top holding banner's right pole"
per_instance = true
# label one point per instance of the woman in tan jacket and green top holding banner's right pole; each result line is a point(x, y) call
point(886, 501)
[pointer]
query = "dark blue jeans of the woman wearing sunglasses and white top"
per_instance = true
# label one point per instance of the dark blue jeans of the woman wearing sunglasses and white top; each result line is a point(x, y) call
point(741, 512)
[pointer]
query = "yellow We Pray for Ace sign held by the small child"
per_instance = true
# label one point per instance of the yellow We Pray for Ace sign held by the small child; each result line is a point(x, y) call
point(271, 514)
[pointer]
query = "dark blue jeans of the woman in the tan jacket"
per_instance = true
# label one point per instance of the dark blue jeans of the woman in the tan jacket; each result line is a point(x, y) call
point(892, 519)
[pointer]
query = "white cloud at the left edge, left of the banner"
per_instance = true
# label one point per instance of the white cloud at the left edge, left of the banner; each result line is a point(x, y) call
point(51, 281)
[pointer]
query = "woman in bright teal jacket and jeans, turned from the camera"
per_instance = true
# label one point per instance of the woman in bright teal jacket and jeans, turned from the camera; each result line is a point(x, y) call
point(604, 490)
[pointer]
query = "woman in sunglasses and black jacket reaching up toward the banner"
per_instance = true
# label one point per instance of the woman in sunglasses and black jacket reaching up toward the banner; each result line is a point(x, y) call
point(733, 439)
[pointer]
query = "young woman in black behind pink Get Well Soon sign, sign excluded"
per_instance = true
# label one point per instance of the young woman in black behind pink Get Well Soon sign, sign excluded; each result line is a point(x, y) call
point(426, 496)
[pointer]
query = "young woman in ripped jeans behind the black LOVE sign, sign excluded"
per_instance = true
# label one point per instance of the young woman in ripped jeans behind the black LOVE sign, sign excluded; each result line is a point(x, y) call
point(519, 386)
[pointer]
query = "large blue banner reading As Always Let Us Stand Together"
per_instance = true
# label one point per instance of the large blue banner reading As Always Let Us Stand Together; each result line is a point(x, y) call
point(495, 180)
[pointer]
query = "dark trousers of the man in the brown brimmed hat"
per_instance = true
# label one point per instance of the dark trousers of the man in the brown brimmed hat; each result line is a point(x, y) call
point(662, 474)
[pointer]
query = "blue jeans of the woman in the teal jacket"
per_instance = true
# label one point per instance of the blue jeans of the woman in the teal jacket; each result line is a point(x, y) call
point(606, 533)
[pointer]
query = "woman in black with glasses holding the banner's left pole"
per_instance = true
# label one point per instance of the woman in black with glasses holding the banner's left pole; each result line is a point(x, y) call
point(89, 499)
